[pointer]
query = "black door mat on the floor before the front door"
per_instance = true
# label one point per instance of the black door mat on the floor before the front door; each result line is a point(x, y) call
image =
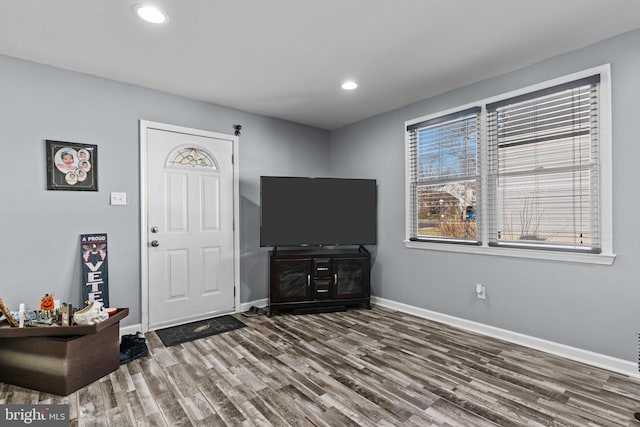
point(201, 329)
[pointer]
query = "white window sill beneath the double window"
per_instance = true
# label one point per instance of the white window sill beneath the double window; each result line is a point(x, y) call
point(601, 259)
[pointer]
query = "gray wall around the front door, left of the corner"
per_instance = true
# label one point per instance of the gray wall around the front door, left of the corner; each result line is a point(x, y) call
point(39, 229)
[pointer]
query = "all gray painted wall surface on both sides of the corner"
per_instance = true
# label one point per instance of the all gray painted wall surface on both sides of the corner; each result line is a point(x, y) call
point(586, 306)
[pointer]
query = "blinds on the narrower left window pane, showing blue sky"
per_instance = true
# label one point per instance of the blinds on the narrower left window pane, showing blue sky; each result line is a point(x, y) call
point(444, 177)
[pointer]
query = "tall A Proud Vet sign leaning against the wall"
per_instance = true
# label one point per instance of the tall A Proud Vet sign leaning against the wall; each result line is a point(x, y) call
point(95, 272)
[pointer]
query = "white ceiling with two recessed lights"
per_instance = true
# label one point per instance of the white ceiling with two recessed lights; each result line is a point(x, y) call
point(287, 58)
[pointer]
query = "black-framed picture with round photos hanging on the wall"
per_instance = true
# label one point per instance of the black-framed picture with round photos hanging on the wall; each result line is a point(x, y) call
point(71, 166)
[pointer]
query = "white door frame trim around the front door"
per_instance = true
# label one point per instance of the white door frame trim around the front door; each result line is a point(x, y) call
point(144, 253)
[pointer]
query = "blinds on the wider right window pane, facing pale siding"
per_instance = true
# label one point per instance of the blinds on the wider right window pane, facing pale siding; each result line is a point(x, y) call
point(543, 168)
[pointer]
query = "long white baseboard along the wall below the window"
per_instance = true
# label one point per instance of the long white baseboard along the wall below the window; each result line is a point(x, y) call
point(585, 356)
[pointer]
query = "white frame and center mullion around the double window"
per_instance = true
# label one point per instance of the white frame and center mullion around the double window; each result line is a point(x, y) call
point(606, 255)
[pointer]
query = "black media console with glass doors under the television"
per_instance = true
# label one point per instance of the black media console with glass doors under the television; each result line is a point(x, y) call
point(313, 280)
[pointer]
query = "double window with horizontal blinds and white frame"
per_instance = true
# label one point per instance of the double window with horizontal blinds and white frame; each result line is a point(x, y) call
point(522, 174)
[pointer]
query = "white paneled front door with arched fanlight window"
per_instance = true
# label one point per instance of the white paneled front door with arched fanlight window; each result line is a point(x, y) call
point(190, 226)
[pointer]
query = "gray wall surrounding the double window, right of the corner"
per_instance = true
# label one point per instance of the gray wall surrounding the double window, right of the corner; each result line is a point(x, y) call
point(591, 307)
